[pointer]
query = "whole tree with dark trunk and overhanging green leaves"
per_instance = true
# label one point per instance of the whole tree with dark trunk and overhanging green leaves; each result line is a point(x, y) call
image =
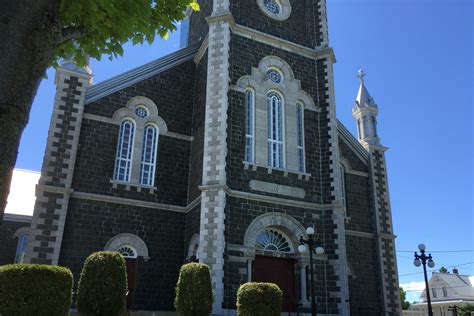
point(35, 34)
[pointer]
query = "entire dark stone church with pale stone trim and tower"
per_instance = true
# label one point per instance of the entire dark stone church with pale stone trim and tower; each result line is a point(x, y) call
point(223, 152)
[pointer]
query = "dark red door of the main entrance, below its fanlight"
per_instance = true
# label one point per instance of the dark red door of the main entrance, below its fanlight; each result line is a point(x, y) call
point(282, 273)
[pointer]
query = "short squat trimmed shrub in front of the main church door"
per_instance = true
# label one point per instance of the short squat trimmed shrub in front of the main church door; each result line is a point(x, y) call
point(259, 299)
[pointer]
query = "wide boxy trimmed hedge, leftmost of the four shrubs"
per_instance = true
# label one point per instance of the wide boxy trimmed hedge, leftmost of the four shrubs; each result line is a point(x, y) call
point(35, 289)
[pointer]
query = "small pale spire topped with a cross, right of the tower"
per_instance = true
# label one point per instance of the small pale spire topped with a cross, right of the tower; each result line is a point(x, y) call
point(365, 112)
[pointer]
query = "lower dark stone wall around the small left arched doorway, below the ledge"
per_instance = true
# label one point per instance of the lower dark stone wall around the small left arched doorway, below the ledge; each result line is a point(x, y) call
point(91, 224)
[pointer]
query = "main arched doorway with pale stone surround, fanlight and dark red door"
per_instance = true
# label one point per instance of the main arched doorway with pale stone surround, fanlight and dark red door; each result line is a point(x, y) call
point(271, 241)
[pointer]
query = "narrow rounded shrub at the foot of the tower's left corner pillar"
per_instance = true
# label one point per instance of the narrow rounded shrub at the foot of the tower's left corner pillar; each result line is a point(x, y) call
point(194, 290)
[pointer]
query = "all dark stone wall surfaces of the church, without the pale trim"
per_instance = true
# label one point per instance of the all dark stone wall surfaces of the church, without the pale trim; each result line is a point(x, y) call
point(167, 218)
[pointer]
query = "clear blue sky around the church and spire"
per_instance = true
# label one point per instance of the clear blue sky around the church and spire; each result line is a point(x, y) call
point(418, 57)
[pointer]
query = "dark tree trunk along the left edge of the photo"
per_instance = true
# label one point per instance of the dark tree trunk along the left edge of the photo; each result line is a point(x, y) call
point(28, 33)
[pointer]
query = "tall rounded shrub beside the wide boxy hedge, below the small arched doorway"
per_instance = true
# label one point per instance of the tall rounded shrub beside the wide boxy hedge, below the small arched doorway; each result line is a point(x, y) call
point(103, 285)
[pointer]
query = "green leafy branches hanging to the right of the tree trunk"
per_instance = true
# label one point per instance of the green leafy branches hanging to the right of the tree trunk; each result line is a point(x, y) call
point(103, 26)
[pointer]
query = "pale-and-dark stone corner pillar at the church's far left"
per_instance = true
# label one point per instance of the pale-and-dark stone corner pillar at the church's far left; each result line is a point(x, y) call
point(54, 188)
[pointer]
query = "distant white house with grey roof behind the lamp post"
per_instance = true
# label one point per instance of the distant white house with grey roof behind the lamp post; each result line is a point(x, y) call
point(446, 290)
